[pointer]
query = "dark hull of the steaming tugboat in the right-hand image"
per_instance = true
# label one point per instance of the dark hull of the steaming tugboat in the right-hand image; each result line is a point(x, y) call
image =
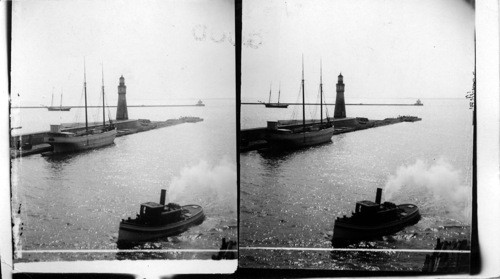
point(345, 230)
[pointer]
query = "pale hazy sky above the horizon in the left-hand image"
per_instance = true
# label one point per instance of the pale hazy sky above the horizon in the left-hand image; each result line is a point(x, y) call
point(169, 51)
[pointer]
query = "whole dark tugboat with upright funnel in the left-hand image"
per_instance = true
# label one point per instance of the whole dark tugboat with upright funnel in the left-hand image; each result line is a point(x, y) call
point(159, 220)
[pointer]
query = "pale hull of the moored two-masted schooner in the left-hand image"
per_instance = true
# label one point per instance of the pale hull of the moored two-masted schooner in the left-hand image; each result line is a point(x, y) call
point(62, 144)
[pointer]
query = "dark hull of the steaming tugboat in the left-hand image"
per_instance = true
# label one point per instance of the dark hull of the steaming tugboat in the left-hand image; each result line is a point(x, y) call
point(133, 232)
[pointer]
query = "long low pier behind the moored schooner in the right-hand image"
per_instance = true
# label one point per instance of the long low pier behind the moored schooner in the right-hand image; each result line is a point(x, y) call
point(255, 138)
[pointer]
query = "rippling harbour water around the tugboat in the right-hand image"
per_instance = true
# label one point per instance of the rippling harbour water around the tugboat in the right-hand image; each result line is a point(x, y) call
point(292, 199)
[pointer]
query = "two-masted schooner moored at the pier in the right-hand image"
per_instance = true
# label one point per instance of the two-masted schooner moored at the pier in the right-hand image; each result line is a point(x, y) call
point(297, 136)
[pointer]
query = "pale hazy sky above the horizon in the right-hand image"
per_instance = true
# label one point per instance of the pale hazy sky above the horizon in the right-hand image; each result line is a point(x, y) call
point(384, 48)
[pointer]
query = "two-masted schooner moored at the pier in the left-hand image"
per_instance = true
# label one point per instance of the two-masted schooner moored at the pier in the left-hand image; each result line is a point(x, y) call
point(66, 142)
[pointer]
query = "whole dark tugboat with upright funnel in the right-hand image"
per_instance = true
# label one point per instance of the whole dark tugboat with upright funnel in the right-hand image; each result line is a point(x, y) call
point(372, 220)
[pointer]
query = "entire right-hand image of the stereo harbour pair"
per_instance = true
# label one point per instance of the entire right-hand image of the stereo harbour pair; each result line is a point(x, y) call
point(356, 138)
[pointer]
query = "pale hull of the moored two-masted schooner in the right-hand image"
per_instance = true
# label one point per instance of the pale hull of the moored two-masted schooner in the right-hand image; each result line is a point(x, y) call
point(280, 139)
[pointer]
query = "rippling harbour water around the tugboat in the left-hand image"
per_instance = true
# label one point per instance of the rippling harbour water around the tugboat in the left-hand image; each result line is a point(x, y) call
point(77, 201)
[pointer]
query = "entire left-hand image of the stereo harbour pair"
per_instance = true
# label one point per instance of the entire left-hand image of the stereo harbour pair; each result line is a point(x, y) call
point(123, 143)
